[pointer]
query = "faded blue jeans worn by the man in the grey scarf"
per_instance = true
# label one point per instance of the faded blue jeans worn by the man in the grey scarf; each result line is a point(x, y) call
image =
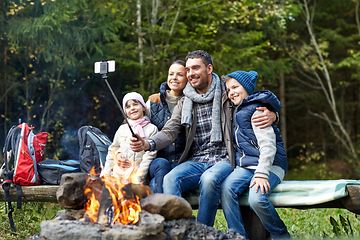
point(190, 175)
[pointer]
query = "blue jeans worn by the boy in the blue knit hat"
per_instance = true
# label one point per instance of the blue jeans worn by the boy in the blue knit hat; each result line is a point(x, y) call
point(236, 184)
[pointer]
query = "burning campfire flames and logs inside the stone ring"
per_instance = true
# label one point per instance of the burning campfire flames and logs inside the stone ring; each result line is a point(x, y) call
point(124, 207)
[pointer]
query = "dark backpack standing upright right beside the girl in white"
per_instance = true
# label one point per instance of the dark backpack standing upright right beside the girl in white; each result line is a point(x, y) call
point(94, 146)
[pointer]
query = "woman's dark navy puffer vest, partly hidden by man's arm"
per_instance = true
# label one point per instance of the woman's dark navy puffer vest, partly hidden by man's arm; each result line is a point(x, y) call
point(160, 114)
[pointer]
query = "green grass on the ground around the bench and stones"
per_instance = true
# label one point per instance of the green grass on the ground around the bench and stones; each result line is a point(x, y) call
point(302, 224)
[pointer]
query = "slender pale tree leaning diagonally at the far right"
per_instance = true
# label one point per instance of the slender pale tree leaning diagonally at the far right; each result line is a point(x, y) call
point(315, 61)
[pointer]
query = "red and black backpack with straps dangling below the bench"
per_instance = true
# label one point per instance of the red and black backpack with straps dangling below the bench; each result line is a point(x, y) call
point(22, 151)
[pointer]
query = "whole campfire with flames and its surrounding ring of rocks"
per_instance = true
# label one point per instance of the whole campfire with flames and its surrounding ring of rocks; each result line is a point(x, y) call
point(116, 210)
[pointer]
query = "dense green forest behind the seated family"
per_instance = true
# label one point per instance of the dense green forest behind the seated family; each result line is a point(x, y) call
point(305, 51)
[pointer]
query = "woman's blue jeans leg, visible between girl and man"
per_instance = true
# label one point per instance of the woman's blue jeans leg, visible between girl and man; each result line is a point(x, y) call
point(158, 168)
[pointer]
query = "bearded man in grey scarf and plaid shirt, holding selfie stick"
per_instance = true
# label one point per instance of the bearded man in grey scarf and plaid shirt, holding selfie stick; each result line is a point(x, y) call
point(208, 157)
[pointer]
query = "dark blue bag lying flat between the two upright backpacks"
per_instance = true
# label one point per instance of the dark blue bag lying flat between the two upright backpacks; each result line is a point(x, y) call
point(51, 170)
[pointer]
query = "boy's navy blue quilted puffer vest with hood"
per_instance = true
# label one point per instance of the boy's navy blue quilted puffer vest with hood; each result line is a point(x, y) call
point(244, 135)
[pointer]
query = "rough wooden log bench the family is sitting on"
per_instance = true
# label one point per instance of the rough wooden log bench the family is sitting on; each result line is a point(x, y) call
point(351, 202)
